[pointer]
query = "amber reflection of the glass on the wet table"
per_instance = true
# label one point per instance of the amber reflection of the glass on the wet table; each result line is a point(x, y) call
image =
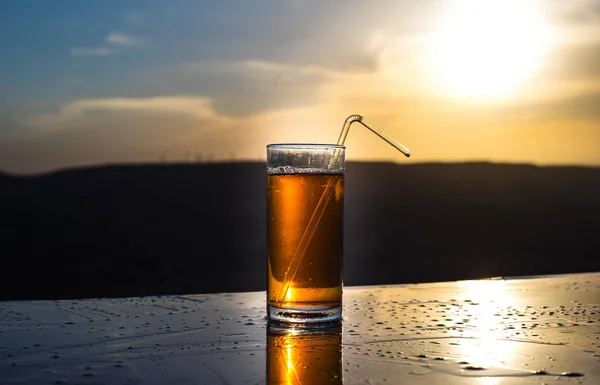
point(312, 356)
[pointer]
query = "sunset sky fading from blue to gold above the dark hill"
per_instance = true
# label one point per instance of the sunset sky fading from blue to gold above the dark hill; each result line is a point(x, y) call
point(94, 82)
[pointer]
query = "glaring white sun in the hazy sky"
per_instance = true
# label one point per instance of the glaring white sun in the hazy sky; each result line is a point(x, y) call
point(487, 49)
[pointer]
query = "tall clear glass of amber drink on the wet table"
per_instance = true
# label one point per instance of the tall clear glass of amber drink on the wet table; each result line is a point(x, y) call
point(305, 211)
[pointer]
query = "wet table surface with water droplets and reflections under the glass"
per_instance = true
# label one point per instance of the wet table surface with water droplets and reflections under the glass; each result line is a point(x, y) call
point(539, 330)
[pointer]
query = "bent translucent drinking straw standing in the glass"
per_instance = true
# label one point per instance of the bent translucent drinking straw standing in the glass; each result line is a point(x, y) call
point(313, 223)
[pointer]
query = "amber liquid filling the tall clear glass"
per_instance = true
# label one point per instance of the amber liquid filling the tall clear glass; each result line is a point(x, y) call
point(316, 283)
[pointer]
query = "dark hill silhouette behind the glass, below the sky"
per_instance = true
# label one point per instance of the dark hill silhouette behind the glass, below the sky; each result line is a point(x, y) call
point(185, 228)
